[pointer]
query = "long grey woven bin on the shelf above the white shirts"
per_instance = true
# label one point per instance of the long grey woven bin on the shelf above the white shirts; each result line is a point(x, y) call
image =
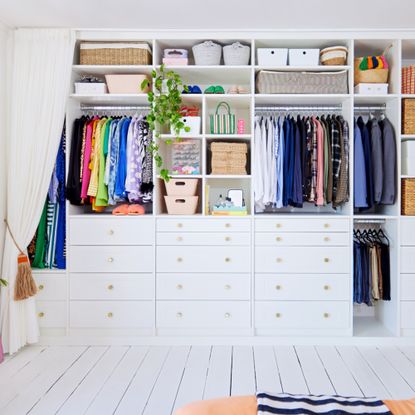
point(271, 82)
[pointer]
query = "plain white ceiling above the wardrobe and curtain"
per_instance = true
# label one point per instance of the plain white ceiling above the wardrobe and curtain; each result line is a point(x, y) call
point(210, 14)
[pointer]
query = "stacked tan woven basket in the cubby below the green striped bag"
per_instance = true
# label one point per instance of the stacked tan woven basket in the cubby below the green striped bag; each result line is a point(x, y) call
point(228, 158)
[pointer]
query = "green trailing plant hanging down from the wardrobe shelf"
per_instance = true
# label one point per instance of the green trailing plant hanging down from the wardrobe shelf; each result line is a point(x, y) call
point(165, 103)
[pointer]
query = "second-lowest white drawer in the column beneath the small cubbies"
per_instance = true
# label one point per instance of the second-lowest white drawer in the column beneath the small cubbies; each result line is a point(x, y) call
point(203, 287)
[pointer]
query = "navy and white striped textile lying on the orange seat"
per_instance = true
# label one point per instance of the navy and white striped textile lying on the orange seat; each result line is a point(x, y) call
point(287, 404)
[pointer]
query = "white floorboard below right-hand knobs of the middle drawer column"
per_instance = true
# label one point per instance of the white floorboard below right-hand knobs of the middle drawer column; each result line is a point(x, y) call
point(219, 375)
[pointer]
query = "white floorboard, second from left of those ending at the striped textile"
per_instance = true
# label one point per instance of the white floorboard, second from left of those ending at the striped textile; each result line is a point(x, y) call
point(292, 377)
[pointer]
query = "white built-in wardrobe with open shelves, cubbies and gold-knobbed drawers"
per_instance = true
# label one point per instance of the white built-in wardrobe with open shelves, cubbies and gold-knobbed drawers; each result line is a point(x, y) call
point(279, 274)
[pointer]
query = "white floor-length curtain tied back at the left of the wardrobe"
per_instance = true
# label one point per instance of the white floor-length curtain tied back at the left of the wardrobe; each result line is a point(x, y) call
point(39, 87)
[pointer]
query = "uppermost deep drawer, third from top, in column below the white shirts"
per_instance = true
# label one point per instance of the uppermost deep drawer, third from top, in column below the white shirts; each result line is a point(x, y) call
point(310, 260)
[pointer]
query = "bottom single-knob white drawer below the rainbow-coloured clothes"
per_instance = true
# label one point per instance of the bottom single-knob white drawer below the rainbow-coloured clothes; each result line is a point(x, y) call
point(112, 314)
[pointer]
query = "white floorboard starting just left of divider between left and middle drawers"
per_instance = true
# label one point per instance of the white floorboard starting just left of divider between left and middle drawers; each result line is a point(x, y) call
point(110, 395)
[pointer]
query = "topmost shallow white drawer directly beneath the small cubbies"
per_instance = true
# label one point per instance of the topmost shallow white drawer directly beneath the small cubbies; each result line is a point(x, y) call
point(204, 225)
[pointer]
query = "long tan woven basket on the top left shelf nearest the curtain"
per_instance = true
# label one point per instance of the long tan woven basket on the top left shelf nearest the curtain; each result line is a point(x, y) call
point(115, 53)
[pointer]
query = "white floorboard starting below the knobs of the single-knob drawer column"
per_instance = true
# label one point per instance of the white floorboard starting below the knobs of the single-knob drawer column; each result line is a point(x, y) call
point(85, 393)
